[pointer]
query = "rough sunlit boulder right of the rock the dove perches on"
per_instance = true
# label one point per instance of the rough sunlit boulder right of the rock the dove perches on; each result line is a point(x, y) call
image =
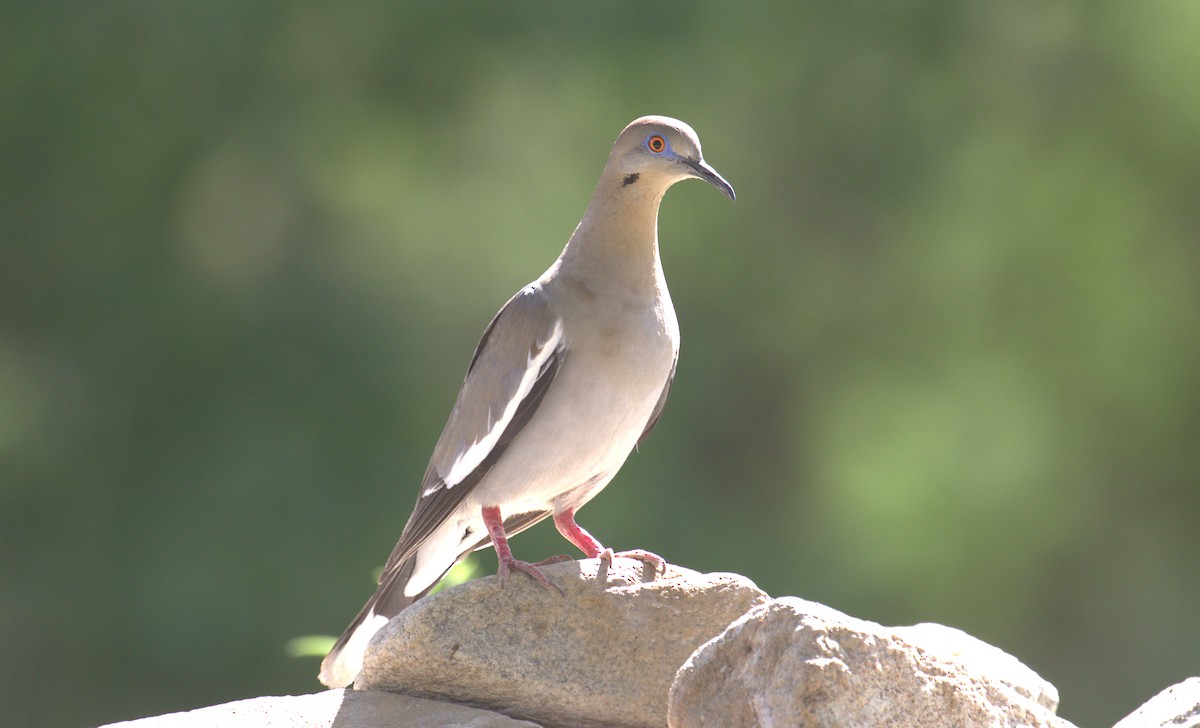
point(794, 663)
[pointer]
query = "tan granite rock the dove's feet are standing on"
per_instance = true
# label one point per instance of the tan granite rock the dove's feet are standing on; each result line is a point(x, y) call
point(603, 654)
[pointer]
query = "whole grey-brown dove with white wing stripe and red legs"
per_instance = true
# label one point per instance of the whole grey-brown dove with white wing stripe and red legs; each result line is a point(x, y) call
point(569, 377)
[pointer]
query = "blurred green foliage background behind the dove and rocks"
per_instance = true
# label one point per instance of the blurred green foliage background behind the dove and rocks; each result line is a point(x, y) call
point(940, 360)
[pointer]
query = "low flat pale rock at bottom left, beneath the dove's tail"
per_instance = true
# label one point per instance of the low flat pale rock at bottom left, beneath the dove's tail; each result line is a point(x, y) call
point(333, 709)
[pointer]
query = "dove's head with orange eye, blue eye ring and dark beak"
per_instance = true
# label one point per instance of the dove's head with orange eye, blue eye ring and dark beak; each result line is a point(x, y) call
point(655, 153)
